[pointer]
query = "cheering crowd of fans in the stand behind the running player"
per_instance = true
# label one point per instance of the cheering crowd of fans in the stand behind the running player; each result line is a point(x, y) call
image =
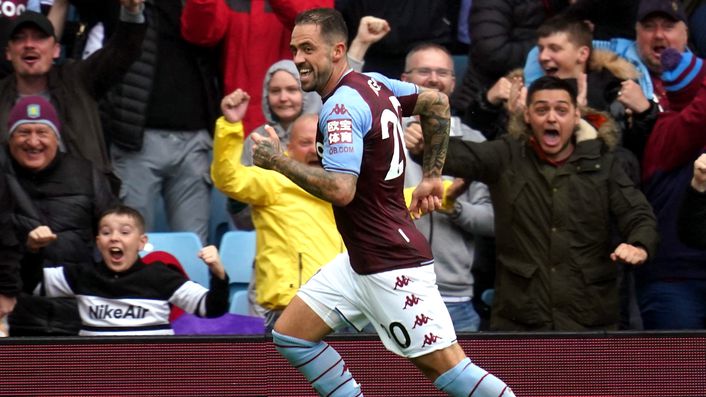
point(546, 225)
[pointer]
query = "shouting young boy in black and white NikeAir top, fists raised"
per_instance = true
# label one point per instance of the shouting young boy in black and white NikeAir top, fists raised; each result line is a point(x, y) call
point(121, 295)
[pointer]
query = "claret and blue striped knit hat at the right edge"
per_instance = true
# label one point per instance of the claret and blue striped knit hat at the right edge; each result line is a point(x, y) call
point(682, 75)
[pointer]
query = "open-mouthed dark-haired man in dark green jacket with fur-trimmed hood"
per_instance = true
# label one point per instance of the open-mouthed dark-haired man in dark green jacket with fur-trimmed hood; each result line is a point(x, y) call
point(558, 193)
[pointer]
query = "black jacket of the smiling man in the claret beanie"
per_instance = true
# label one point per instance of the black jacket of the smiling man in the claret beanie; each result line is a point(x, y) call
point(68, 196)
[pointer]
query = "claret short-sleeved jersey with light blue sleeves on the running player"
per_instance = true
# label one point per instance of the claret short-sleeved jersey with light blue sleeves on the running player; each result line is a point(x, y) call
point(360, 133)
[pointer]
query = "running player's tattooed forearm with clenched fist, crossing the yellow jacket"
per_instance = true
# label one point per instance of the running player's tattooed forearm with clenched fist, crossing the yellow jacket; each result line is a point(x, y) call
point(336, 188)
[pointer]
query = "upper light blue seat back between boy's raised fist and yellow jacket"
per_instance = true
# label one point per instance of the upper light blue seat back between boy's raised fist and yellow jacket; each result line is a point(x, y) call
point(237, 251)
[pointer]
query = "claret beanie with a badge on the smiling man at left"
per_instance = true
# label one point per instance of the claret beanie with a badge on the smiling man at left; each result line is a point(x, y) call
point(34, 110)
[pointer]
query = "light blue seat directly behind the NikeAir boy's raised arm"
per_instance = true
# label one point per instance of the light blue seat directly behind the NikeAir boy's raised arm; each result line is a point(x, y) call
point(185, 246)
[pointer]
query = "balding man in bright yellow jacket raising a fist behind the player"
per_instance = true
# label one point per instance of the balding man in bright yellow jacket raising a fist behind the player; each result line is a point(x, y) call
point(296, 232)
